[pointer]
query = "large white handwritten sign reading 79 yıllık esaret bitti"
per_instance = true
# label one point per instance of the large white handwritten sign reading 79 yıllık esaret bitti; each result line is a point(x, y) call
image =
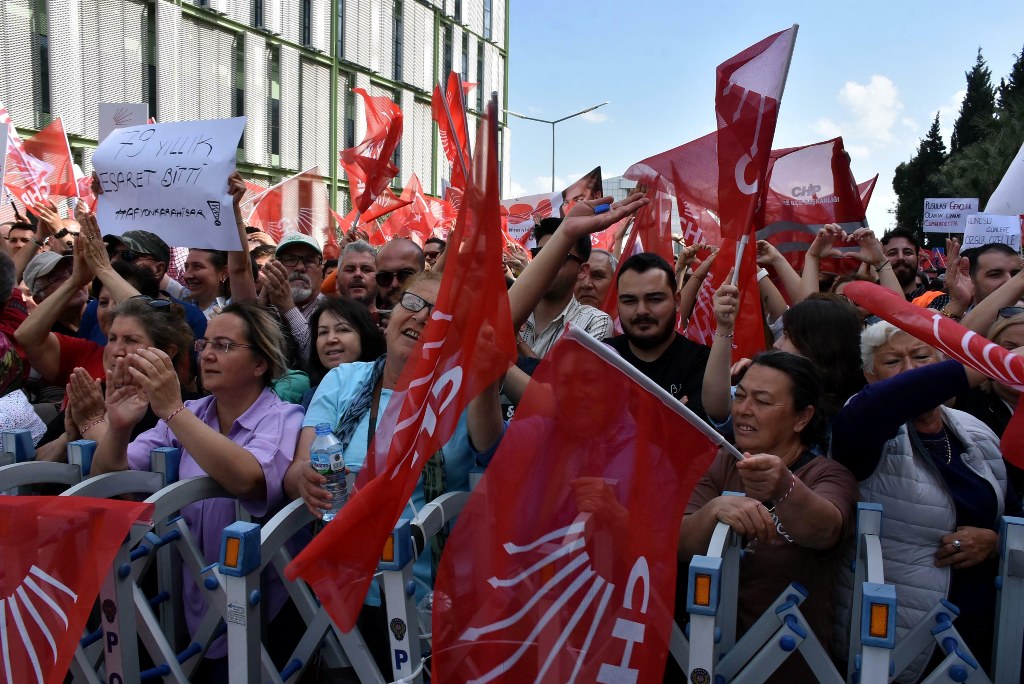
point(170, 180)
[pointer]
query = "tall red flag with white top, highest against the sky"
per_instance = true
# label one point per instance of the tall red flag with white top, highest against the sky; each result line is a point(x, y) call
point(749, 91)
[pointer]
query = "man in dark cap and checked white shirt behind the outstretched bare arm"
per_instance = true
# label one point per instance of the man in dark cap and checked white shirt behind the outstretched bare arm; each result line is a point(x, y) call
point(559, 306)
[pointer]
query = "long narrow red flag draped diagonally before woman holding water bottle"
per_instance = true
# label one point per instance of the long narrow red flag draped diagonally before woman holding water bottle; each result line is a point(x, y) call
point(449, 367)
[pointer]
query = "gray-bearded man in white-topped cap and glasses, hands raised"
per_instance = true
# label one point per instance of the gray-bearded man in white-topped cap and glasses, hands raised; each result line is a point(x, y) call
point(292, 282)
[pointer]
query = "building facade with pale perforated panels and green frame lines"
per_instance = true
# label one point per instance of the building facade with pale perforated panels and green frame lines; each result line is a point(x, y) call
point(289, 66)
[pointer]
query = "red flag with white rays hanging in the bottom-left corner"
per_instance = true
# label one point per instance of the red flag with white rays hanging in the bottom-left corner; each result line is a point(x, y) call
point(57, 552)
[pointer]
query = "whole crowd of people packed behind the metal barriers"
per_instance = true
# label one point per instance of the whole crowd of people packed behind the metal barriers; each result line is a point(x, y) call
point(239, 361)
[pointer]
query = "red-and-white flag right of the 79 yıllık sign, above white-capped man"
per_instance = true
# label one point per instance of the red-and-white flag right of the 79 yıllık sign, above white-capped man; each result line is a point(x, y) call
point(301, 203)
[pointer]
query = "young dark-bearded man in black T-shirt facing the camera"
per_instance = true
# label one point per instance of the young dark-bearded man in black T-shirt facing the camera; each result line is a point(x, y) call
point(649, 306)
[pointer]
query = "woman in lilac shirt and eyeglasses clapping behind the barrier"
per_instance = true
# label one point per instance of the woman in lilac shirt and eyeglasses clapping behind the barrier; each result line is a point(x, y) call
point(242, 436)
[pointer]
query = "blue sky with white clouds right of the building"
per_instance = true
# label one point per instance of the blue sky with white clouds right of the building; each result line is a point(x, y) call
point(874, 72)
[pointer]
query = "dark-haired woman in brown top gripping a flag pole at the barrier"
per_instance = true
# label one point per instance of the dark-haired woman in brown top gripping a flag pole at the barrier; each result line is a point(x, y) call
point(798, 508)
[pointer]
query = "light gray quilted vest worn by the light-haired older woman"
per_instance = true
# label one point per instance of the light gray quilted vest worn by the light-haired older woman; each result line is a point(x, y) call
point(918, 511)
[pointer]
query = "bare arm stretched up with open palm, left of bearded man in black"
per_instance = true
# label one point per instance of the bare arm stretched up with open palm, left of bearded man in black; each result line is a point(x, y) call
point(531, 286)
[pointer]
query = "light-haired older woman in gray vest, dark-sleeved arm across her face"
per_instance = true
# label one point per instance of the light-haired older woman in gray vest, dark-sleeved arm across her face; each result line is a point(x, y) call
point(941, 478)
